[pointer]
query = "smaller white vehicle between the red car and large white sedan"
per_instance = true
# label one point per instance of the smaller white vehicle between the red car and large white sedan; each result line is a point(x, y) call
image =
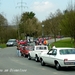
point(37, 50)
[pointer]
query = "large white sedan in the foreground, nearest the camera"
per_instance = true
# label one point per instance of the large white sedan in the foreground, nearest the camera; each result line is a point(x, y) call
point(59, 57)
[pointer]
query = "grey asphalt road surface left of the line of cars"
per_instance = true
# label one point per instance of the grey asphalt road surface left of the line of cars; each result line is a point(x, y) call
point(11, 64)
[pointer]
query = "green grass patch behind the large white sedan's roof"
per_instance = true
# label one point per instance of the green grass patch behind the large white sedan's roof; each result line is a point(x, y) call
point(63, 43)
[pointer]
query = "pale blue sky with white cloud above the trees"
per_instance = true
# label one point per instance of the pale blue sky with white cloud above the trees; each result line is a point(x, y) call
point(42, 8)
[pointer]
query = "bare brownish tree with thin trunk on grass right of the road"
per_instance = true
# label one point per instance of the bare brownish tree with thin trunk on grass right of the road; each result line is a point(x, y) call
point(52, 23)
